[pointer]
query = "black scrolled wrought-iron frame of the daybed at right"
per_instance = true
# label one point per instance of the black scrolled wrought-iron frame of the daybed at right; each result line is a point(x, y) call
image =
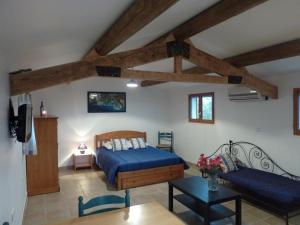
point(255, 157)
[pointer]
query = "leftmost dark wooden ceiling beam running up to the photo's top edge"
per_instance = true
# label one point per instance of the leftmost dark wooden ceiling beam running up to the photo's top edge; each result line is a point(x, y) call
point(139, 14)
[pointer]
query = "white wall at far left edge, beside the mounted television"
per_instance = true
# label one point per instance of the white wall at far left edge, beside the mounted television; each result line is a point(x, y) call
point(12, 162)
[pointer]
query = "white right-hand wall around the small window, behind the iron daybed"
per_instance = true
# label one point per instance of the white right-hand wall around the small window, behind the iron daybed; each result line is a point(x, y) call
point(267, 124)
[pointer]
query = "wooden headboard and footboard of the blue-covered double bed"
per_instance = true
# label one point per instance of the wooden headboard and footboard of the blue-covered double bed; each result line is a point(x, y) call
point(138, 178)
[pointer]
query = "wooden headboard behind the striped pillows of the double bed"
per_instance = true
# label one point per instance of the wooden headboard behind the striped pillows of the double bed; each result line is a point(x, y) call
point(117, 134)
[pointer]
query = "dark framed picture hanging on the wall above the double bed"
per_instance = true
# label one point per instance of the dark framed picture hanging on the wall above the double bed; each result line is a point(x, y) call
point(102, 102)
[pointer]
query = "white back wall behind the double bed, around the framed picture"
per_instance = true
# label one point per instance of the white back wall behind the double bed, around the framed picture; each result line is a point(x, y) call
point(147, 110)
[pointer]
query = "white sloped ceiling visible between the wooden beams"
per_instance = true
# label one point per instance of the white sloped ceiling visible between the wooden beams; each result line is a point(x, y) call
point(41, 33)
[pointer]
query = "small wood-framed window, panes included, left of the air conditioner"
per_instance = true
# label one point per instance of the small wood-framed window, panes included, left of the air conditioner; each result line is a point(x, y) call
point(201, 108)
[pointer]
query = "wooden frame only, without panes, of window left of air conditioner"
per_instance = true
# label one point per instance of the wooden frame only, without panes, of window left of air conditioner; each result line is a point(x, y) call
point(201, 95)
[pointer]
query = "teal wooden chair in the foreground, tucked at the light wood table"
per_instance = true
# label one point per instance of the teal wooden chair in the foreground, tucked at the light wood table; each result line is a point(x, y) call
point(100, 201)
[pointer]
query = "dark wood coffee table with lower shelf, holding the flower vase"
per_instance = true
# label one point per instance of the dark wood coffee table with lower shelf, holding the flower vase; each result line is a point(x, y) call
point(205, 203)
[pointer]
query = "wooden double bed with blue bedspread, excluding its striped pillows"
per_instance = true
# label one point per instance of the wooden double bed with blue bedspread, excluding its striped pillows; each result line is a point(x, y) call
point(135, 168)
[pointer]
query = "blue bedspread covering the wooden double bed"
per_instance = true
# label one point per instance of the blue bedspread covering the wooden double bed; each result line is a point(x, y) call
point(134, 159)
